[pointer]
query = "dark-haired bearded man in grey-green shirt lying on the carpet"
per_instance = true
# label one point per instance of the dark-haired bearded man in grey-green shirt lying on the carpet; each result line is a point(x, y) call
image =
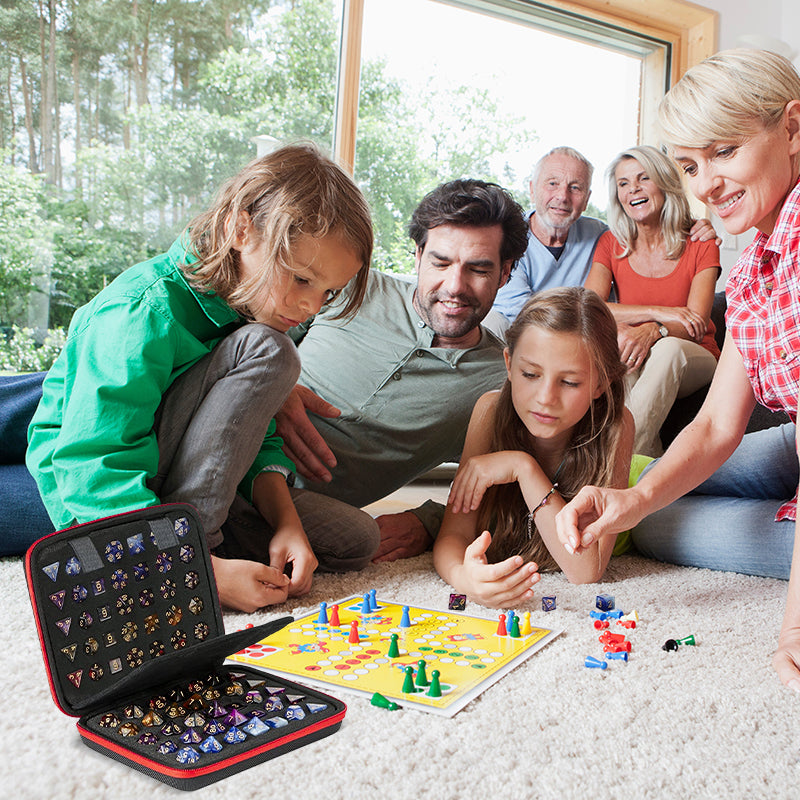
point(400, 379)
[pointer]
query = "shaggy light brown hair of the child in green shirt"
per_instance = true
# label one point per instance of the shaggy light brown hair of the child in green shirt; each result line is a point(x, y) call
point(294, 191)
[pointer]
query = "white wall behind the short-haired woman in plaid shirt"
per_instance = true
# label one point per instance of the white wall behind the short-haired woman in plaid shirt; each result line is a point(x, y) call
point(772, 24)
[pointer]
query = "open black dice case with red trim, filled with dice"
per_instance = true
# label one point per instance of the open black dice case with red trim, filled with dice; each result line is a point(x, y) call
point(133, 640)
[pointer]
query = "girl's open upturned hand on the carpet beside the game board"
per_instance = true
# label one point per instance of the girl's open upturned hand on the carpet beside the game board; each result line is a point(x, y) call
point(507, 584)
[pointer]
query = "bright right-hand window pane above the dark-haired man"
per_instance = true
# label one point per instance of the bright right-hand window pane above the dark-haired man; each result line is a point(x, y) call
point(482, 90)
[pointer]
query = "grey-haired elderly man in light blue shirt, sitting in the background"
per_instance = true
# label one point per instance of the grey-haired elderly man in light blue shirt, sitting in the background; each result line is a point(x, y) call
point(561, 239)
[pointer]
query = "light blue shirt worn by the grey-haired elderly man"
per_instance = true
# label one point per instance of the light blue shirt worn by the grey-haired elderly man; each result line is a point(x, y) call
point(538, 268)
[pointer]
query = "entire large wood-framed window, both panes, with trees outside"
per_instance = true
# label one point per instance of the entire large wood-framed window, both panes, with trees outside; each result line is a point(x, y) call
point(119, 118)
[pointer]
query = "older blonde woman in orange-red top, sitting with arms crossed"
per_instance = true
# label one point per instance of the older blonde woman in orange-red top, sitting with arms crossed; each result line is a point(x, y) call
point(665, 286)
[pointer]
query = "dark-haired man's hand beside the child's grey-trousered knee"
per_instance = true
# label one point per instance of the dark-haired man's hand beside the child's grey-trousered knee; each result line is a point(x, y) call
point(301, 440)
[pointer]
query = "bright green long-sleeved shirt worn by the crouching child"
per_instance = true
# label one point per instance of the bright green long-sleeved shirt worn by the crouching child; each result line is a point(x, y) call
point(91, 443)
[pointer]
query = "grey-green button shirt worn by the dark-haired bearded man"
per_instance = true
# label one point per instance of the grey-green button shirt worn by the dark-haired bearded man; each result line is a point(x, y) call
point(405, 404)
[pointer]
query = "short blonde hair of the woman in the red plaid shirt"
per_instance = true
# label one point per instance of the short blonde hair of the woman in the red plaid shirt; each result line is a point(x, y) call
point(734, 93)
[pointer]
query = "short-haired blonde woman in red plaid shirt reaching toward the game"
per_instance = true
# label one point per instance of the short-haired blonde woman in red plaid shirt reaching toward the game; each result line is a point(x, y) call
point(733, 126)
